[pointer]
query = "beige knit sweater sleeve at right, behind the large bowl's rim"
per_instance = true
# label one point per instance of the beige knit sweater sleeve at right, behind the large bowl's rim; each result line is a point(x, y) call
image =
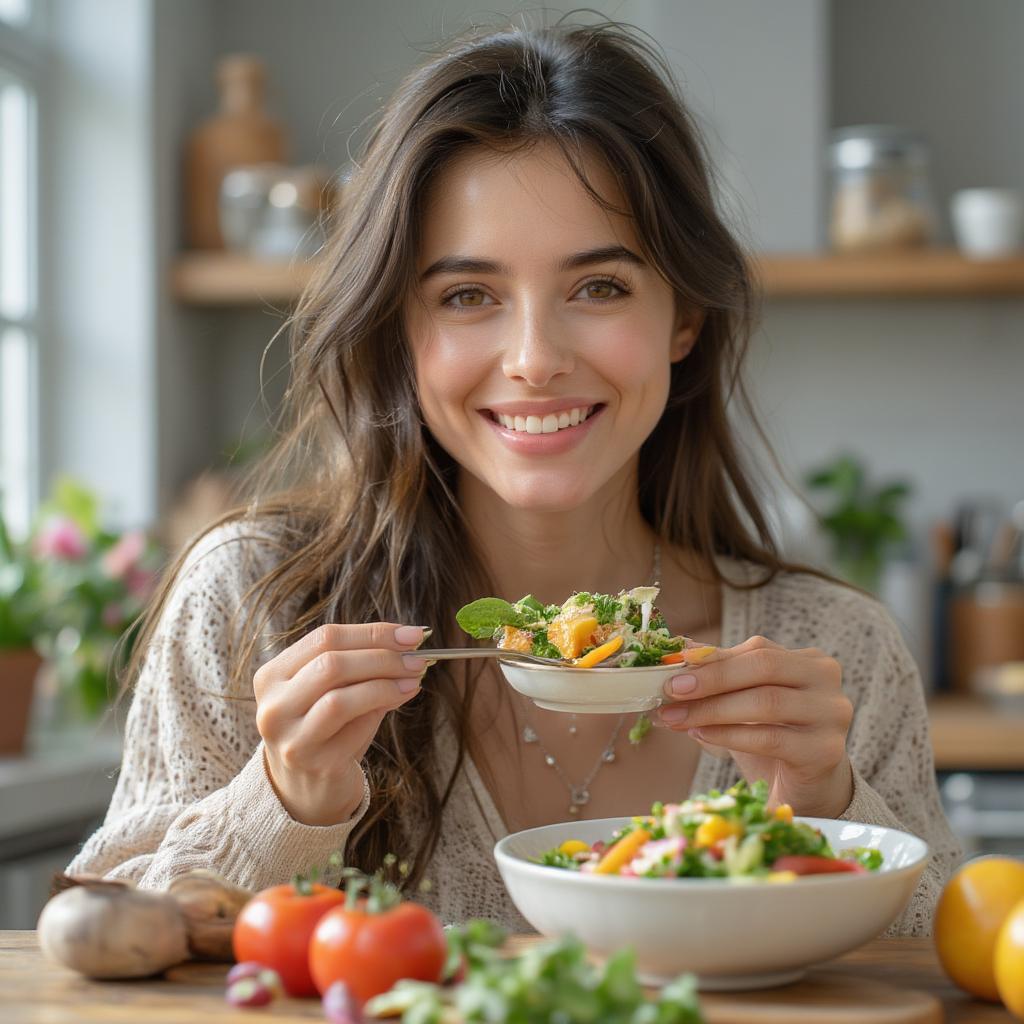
point(893, 767)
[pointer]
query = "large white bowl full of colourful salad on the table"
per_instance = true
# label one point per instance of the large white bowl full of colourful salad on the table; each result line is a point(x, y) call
point(743, 895)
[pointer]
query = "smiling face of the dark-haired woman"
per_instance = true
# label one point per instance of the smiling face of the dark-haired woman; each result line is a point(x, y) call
point(542, 340)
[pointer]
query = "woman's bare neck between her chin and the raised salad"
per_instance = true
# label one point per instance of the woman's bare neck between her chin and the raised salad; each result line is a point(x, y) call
point(603, 546)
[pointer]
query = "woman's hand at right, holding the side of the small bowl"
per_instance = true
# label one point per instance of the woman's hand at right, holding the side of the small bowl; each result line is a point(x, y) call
point(782, 714)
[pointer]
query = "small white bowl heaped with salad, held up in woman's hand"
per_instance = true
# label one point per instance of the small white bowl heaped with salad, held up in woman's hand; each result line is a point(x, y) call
point(610, 653)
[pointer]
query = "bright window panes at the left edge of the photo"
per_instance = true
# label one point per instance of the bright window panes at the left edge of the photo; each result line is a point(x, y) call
point(19, 232)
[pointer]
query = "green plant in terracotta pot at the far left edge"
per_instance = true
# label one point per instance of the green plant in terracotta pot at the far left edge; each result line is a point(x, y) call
point(21, 624)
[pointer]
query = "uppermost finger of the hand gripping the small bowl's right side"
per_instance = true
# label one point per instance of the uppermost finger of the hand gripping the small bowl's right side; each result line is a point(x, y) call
point(756, 663)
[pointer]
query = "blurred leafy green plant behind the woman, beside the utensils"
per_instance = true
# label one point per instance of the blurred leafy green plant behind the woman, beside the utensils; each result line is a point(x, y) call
point(864, 524)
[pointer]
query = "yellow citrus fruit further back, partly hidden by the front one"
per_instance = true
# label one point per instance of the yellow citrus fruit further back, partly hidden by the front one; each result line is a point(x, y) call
point(973, 907)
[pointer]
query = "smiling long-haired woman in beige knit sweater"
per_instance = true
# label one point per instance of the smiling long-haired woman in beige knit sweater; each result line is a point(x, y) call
point(510, 376)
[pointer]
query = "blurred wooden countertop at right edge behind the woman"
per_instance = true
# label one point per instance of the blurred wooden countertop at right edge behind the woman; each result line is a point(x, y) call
point(972, 735)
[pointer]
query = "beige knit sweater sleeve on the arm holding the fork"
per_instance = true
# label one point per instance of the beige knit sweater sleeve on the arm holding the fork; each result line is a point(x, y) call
point(193, 790)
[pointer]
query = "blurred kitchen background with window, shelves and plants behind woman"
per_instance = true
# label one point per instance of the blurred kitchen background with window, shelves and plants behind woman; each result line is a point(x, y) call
point(163, 165)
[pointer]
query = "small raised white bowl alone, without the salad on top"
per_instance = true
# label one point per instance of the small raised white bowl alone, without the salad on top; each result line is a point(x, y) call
point(591, 692)
